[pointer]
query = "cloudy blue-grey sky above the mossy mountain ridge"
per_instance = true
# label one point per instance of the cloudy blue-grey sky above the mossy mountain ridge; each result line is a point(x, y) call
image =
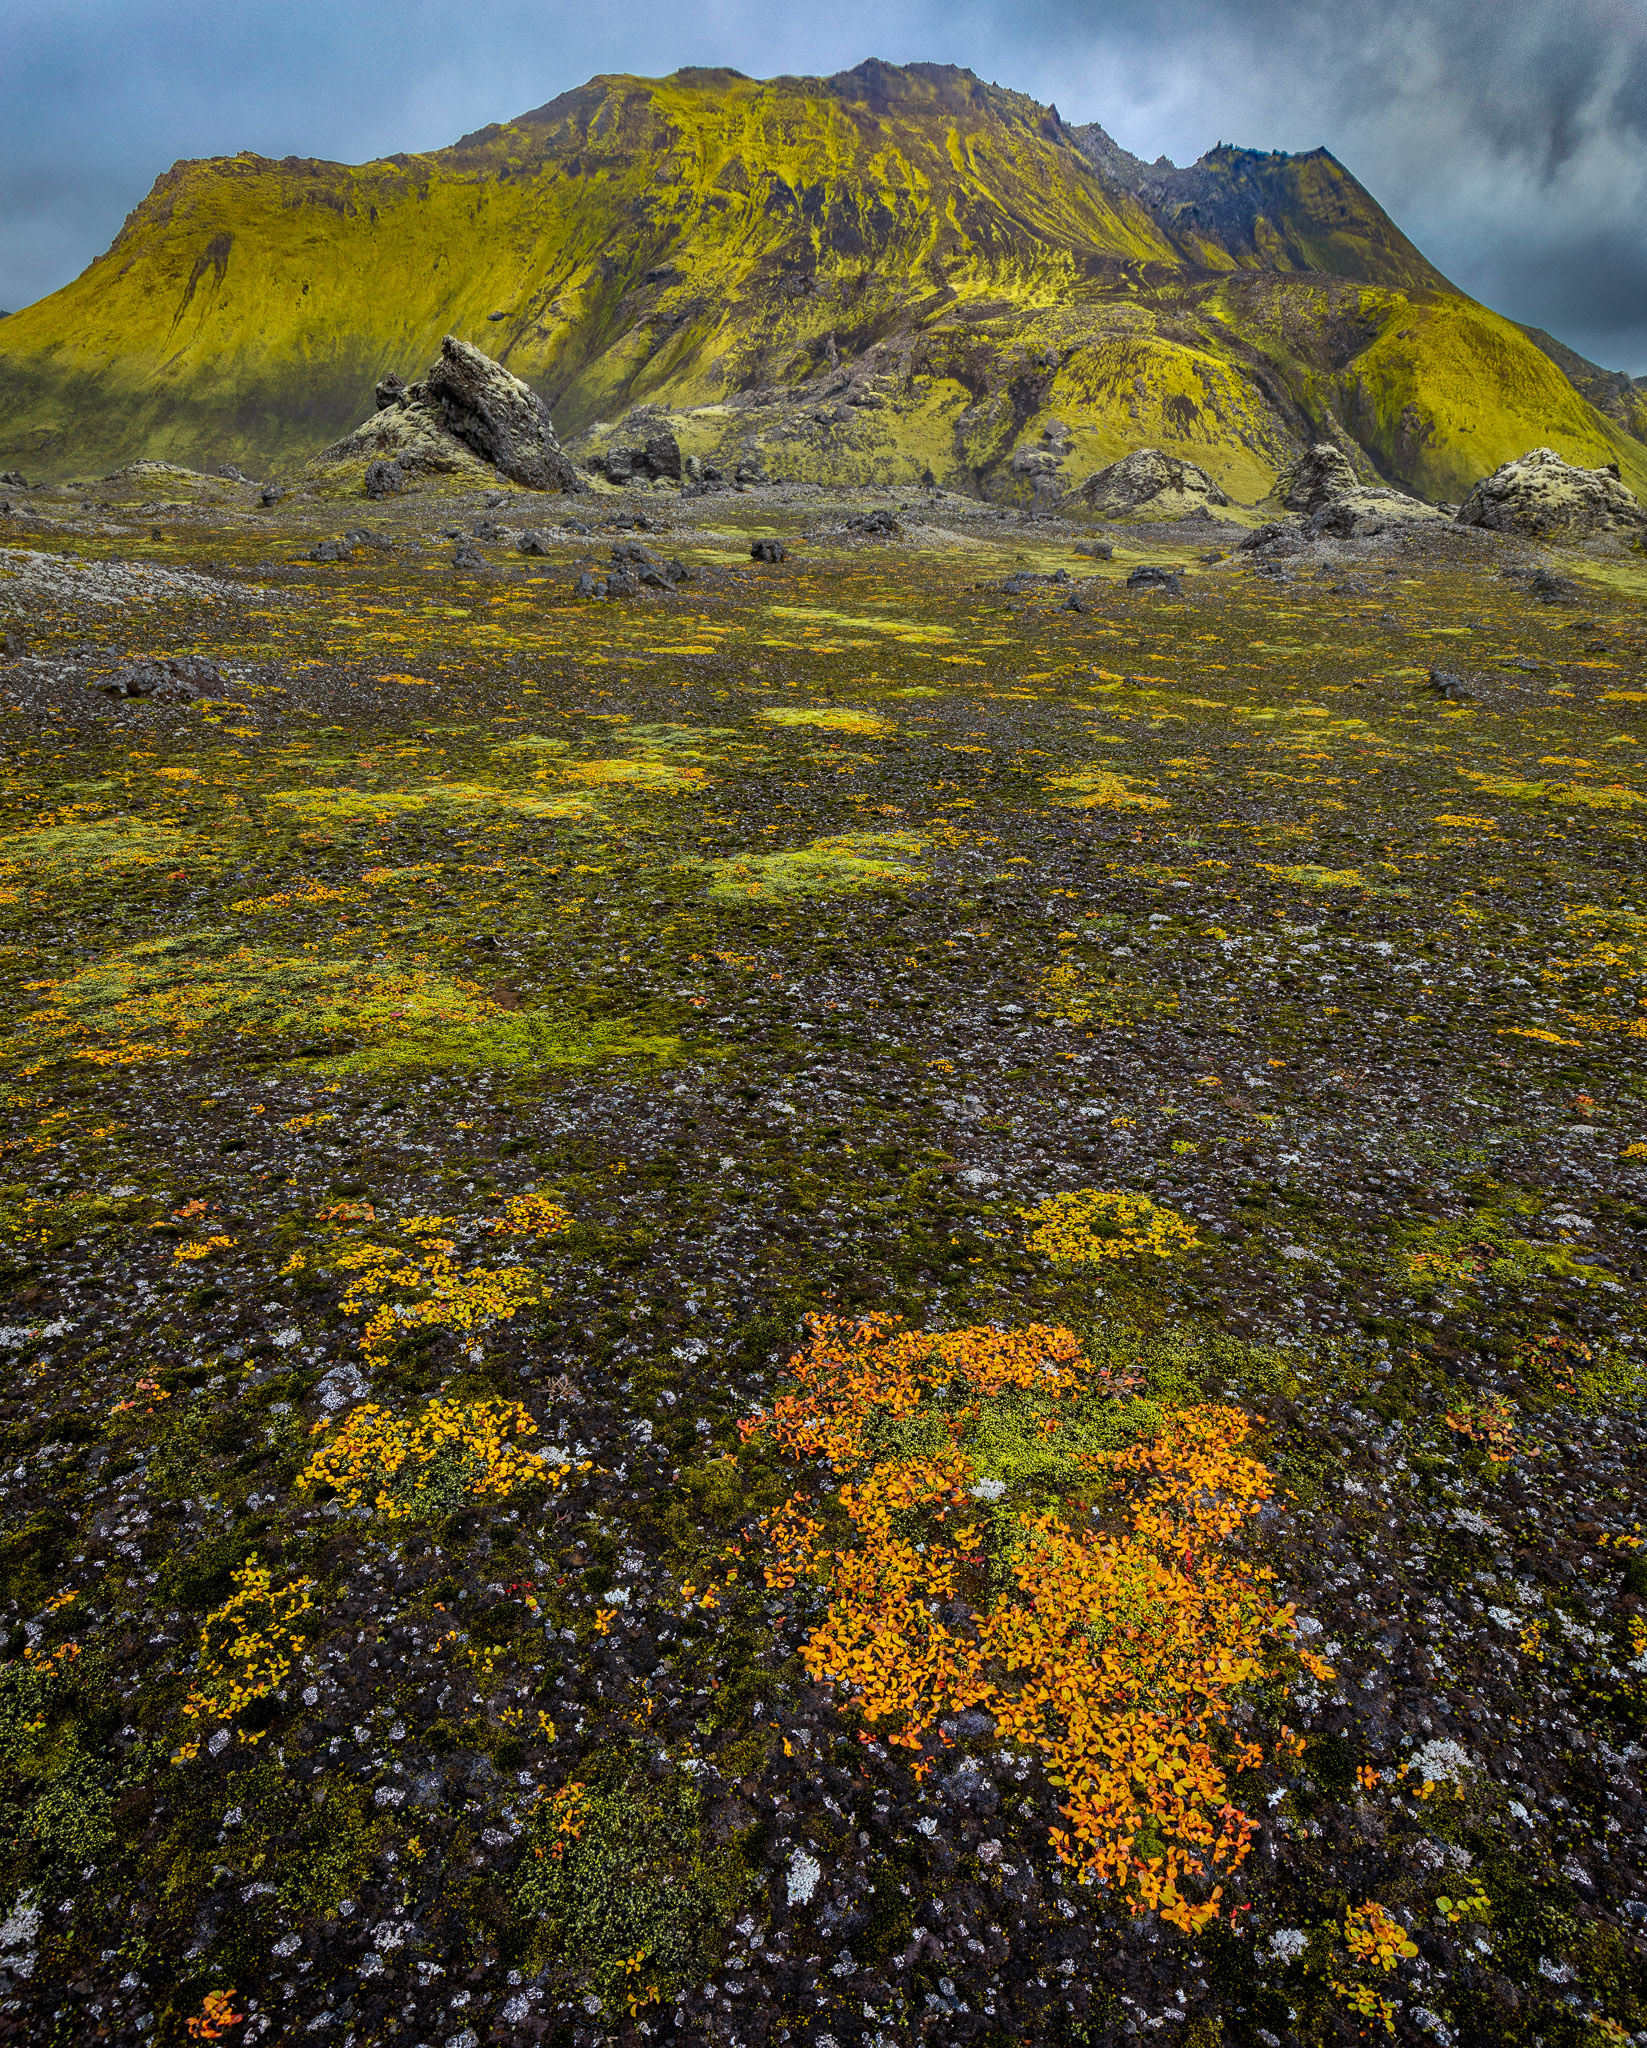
point(1507, 136)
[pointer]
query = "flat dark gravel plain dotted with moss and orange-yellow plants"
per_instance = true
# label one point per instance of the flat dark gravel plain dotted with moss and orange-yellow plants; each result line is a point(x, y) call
point(831, 1308)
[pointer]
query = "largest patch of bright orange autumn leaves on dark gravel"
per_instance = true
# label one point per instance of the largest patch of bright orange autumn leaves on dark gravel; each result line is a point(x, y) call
point(1122, 1625)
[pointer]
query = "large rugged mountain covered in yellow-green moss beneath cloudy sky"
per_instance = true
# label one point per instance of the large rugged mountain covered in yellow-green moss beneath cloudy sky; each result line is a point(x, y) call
point(874, 278)
